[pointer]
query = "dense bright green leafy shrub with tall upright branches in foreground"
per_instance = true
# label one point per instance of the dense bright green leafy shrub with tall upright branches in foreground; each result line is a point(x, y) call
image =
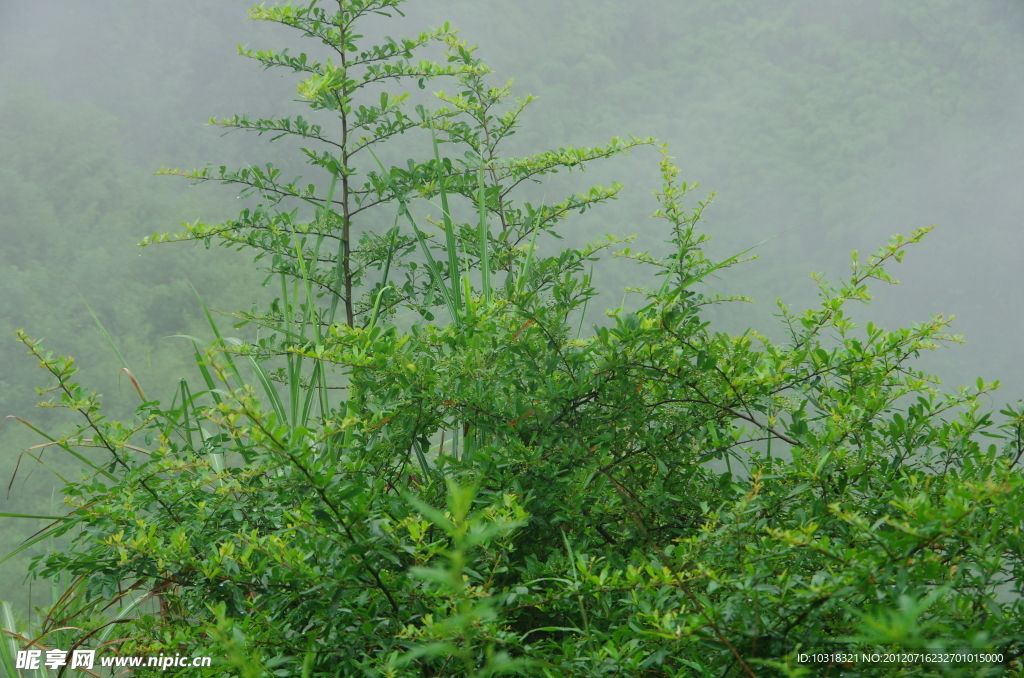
point(426, 468)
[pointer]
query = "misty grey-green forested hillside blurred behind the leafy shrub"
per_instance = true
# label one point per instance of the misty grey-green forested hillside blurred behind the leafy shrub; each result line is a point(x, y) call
point(849, 120)
